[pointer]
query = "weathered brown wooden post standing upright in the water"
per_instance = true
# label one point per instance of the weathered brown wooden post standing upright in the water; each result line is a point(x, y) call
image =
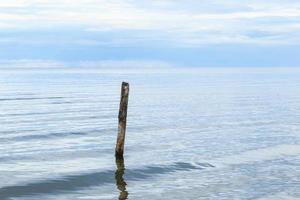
point(122, 121)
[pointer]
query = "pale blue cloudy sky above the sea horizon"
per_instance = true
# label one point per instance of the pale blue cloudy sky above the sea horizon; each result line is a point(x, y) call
point(197, 33)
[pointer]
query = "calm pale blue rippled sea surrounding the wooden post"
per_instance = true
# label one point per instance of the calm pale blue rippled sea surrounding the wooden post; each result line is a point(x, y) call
point(192, 134)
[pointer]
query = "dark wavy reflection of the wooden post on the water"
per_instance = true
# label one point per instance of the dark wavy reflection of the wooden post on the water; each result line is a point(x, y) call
point(120, 182)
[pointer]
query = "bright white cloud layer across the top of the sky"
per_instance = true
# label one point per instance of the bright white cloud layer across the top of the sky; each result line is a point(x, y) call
point(185, 22)
